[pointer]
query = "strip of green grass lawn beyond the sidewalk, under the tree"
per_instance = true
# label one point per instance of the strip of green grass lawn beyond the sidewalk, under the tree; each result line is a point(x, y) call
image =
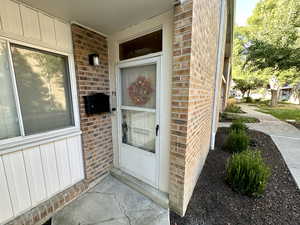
point(283, 111)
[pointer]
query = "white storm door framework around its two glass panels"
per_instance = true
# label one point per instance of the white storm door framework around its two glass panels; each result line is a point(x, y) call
point(140, 61)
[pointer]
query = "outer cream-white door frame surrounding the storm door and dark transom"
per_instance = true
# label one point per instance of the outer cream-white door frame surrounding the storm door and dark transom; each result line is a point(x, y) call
point(166, 23)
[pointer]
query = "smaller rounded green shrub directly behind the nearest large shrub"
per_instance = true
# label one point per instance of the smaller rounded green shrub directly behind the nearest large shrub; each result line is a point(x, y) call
point(236, 142)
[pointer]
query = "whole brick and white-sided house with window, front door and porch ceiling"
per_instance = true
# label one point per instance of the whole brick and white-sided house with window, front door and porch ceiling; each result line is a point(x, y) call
point(164, 65)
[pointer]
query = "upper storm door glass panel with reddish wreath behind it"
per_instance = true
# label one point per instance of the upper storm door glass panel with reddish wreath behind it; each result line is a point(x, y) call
point(139, 86)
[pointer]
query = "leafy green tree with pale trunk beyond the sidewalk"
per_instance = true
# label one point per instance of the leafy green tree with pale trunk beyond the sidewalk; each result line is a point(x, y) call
point(271, 42)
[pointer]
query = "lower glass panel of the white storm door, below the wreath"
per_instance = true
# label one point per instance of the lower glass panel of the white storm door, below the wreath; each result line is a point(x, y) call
point(138, 129)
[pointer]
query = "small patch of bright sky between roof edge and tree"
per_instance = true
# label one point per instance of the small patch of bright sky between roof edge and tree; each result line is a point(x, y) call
point(244, 10)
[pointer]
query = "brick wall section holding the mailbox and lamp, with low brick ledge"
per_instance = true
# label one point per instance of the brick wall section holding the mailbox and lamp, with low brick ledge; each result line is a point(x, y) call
point(96, 137)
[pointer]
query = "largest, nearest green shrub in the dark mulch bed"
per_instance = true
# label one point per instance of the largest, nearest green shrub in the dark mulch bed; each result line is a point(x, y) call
point(246, 173)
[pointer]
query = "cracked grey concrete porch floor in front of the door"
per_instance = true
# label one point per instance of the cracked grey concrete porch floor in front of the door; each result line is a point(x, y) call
point(112, 203)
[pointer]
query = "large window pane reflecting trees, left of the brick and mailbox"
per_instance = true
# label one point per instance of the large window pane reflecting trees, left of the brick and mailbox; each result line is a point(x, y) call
point(44, 89)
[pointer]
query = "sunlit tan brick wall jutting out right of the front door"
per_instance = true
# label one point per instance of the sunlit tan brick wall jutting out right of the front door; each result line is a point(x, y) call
point(196, 29)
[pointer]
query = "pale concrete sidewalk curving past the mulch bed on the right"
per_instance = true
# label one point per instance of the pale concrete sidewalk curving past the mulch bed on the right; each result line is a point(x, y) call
point(285, 136)
